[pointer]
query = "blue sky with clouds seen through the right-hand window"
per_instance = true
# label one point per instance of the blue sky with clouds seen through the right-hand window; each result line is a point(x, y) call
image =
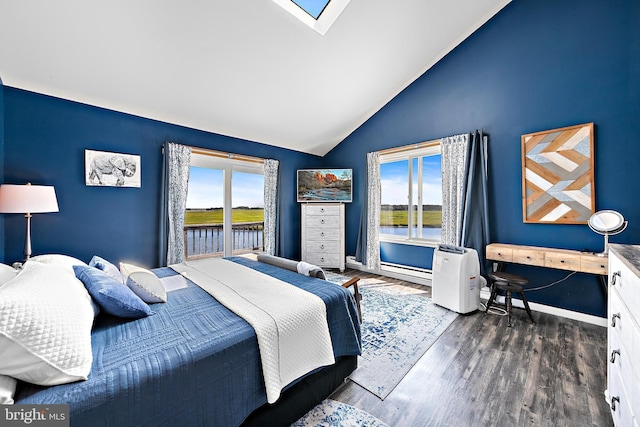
point(394, 176)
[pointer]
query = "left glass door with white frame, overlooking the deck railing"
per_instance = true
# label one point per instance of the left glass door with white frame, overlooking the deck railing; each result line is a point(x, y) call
point(225, 206)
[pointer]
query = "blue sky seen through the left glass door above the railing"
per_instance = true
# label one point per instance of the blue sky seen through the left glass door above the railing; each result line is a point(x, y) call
point(206, 187)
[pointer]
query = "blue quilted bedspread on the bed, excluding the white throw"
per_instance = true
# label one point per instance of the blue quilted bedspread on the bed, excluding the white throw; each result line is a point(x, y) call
point(193, 362)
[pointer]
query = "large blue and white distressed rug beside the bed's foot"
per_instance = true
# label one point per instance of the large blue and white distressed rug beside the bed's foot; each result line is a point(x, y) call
point(398, 327)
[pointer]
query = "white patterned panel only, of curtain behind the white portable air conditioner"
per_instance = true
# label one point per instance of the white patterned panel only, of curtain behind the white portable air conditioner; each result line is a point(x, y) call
point(454, 164)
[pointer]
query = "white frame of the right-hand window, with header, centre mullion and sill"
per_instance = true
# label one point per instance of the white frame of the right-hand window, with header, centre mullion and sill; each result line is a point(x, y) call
point(408, 154)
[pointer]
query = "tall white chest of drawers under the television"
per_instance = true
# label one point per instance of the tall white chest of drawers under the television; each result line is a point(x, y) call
point(323, 234)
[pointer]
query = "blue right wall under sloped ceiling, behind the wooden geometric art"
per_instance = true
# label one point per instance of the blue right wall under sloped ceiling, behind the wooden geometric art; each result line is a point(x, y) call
point(536, 65)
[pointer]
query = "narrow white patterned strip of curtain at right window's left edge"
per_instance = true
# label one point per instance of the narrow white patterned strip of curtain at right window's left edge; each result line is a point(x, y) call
point(372, 259)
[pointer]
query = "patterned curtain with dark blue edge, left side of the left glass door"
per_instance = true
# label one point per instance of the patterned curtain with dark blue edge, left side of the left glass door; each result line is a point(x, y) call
point(175, 182)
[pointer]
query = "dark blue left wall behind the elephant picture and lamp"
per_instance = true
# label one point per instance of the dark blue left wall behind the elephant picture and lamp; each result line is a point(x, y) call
point(45, 139)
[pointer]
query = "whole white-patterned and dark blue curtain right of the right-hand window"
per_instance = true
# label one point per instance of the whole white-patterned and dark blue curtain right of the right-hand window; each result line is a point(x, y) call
point(465, 211)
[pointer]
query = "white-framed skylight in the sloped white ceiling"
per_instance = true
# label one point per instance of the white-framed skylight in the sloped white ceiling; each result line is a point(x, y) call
point(317, 14)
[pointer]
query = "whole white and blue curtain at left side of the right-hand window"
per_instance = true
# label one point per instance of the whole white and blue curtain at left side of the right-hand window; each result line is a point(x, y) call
point(368, 247)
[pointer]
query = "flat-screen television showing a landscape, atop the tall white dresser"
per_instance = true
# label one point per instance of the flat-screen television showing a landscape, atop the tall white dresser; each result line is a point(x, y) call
point(325, 185)
